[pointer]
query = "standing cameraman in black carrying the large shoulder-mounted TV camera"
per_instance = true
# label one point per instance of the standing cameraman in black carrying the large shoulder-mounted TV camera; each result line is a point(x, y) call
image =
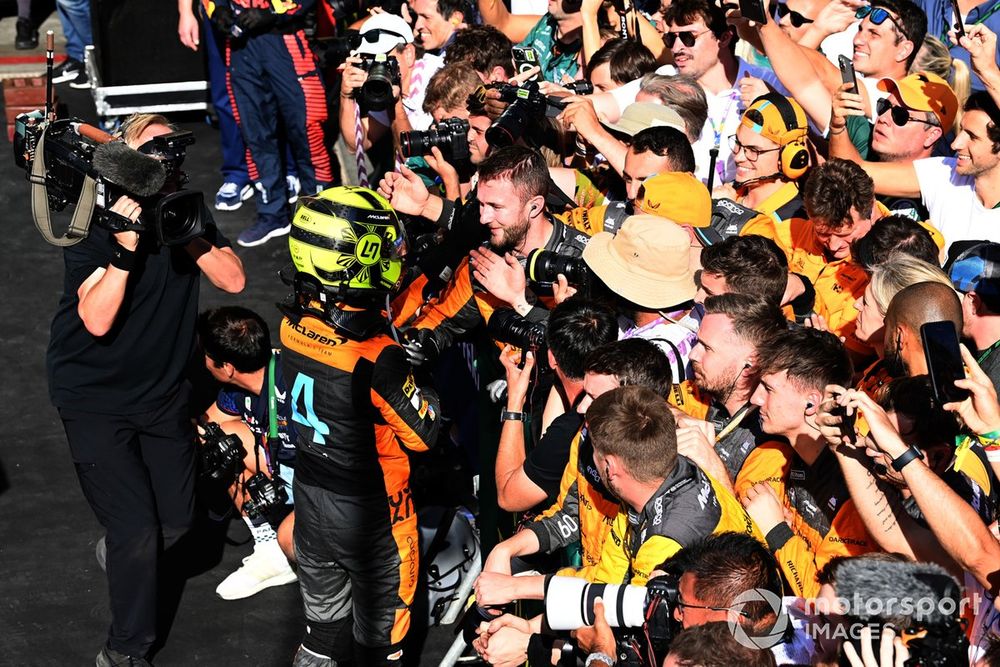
point(120, 343)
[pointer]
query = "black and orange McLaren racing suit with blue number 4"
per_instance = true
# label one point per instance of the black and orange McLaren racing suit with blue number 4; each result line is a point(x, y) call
point(356, 406)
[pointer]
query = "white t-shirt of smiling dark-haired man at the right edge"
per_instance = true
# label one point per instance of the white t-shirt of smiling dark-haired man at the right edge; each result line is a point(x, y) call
point(952, 203)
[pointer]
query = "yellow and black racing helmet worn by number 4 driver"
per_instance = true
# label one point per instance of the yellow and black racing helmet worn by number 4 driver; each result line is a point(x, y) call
point(350, 239)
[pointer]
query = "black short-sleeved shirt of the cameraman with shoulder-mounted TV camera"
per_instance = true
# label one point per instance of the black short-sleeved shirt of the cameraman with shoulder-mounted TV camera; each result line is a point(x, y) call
point(140, 363)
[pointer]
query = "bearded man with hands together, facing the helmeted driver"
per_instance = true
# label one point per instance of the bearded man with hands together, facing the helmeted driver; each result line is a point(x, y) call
point(513, 183)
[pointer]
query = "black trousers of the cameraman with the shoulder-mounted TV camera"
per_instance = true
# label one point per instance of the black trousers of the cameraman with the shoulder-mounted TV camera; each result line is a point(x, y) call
point(137, 473)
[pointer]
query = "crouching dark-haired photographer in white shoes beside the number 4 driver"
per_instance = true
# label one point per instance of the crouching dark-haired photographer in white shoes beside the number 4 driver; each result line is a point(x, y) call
point(254, 404)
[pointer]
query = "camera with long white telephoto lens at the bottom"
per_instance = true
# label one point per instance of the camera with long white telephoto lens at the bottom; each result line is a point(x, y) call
point(643, 616)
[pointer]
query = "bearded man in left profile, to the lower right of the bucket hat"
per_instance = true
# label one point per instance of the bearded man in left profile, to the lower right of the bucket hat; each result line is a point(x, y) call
point(724, 369)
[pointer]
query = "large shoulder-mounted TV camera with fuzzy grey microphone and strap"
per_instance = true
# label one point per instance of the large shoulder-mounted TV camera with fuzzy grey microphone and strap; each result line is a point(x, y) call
point(70, 162)
